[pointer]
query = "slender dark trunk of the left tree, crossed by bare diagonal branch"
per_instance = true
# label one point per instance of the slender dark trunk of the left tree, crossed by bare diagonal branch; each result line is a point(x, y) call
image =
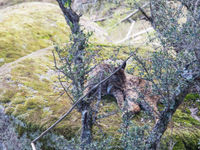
point(79, 40)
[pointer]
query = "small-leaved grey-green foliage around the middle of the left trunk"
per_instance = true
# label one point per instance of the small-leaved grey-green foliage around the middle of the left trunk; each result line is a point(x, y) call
point(74, 62)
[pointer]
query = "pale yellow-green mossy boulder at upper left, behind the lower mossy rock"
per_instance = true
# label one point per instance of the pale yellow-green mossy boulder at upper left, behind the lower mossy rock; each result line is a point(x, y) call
point(40, 29)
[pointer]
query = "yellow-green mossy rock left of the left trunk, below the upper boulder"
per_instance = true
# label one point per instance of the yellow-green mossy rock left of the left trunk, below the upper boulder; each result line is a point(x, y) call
point(32, 91)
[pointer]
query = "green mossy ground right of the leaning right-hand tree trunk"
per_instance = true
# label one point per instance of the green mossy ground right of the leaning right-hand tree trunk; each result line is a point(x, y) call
point(184, 130)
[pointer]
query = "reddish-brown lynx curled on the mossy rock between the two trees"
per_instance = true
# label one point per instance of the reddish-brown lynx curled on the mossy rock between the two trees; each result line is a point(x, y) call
point(123, 86)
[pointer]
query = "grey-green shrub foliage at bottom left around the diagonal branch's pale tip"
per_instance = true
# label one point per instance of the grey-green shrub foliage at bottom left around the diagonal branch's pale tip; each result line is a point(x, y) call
point(27, 132)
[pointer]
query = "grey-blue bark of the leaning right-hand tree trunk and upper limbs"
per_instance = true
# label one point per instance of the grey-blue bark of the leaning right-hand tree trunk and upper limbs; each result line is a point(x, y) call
point(160, 24)
